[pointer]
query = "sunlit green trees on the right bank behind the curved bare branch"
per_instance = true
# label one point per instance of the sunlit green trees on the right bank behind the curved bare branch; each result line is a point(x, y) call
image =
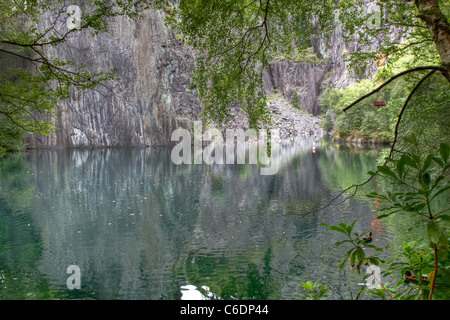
point(427, 111)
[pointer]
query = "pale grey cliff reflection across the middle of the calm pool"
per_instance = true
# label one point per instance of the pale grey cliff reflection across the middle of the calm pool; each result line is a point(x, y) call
point(140, 227)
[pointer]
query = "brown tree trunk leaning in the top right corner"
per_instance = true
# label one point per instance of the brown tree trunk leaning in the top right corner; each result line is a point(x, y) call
point(439, 28)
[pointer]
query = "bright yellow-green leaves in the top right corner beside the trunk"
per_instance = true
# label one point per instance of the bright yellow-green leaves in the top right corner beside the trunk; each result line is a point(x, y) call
point(399, 27)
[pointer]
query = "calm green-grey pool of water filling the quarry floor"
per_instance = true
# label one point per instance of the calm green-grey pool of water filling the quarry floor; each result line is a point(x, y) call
point(140, 227)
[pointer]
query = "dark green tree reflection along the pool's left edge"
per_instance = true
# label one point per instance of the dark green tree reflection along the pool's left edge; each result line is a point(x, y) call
point(20, 244)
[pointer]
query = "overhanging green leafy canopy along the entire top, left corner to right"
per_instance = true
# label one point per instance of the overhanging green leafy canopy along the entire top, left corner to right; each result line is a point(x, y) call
point(234, 41)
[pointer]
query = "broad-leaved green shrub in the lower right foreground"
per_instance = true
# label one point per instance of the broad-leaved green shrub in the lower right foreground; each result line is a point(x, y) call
point(417, 182)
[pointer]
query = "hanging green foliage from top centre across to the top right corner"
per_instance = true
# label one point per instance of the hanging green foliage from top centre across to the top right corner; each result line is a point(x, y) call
point(237, 39)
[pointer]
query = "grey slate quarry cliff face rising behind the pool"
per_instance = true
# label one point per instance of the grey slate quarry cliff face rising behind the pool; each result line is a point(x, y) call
point(152, 96)
